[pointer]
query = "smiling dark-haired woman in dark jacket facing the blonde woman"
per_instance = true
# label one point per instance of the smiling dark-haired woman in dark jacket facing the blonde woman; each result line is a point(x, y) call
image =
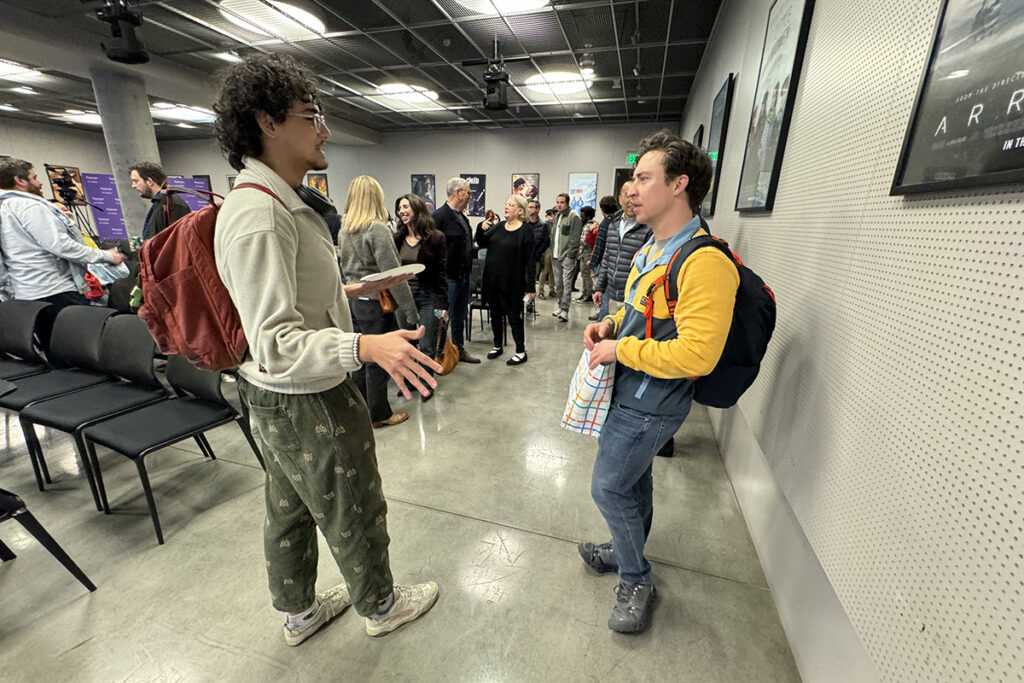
point(419, 241)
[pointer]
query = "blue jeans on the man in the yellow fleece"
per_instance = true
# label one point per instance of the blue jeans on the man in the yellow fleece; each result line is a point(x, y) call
point(622, 485)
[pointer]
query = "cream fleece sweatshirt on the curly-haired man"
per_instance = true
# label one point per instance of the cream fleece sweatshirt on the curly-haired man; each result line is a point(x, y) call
point(282, 273)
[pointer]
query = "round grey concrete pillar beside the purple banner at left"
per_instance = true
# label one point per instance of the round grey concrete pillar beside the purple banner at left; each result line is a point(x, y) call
point(131, 138)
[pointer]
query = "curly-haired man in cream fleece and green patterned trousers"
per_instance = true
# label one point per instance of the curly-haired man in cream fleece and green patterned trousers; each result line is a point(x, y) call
point(276, 257)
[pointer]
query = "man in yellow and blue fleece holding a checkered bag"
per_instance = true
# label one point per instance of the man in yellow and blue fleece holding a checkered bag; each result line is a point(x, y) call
point(656, 364)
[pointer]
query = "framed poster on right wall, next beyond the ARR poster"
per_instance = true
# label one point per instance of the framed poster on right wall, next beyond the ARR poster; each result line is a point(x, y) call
point(782, 57)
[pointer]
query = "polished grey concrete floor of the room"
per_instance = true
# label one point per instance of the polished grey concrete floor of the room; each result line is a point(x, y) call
point(488, 497)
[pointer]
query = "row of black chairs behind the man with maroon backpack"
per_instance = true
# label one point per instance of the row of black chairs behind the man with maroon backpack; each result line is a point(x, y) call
point(98, 383)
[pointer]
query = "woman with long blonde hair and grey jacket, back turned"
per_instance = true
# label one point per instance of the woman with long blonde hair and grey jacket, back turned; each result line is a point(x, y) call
point(368, 247)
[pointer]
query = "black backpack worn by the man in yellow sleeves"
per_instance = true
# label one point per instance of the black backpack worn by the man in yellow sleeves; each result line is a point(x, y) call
point(753, 324)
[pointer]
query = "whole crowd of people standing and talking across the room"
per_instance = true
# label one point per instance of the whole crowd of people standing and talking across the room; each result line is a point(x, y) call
point(327, 334)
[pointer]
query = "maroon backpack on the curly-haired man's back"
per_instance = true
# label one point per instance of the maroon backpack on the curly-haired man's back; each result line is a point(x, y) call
point(185, 303)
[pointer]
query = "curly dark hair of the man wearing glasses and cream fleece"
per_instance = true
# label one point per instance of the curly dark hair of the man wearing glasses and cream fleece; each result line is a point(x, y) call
point(270, 83)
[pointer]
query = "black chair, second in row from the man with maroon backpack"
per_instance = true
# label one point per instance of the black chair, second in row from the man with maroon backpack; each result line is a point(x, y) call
point(126, 352)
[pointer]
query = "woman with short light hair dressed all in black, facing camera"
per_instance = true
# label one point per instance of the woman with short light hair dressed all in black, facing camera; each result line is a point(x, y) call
point(507, 277)
